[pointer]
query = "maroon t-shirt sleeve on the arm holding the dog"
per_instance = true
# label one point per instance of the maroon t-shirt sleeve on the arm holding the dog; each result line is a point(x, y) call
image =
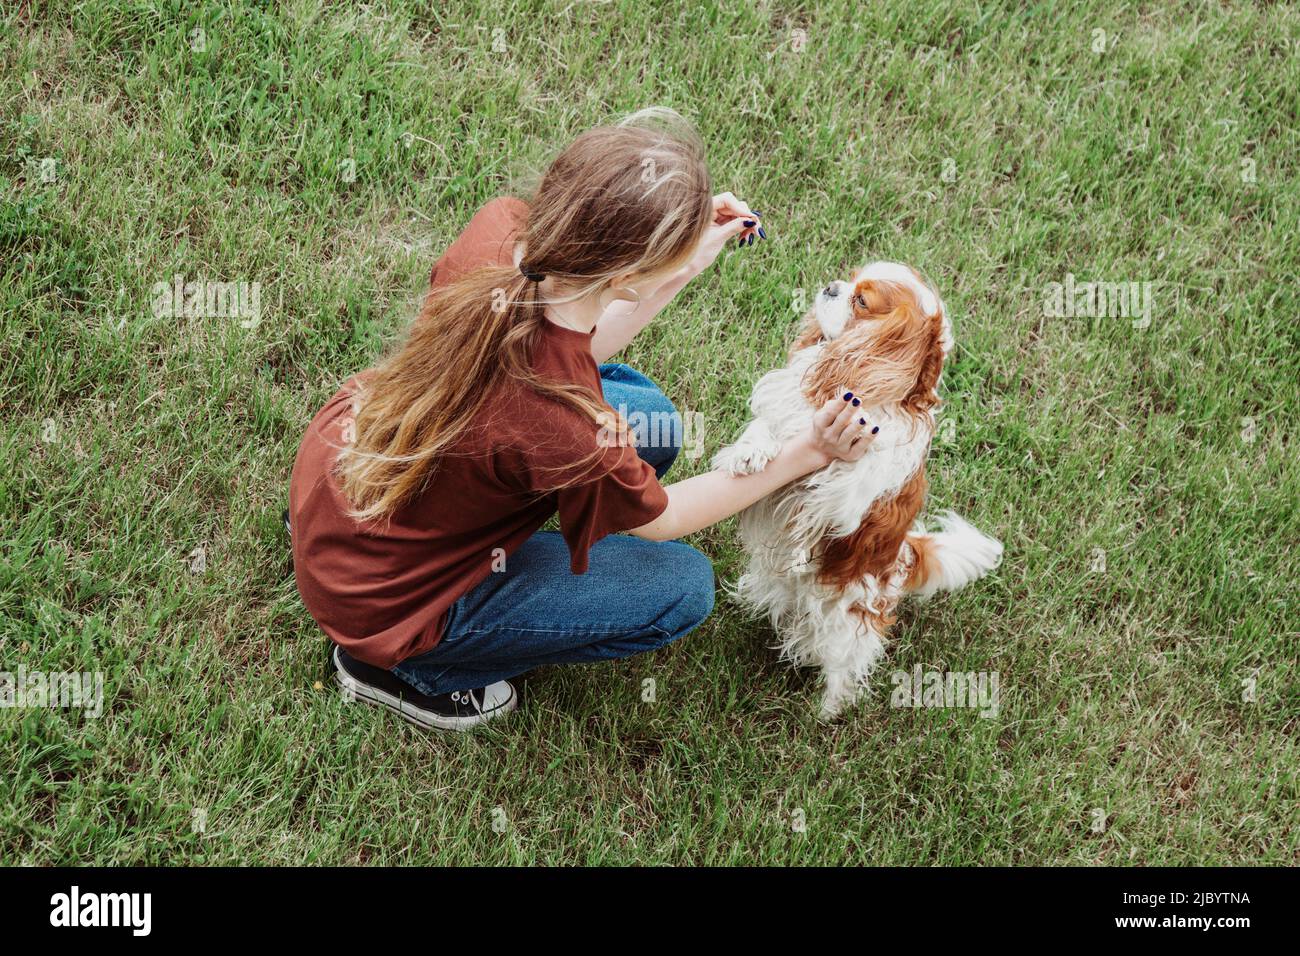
point(623, 495)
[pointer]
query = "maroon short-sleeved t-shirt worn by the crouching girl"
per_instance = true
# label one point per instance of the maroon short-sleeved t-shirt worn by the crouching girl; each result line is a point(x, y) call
point(382, 590)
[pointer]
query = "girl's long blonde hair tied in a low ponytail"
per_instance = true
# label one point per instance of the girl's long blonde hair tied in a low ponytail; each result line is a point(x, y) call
point(635, 197)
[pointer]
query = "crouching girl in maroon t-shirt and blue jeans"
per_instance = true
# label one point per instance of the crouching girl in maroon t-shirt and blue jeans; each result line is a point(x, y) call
point(421, 488)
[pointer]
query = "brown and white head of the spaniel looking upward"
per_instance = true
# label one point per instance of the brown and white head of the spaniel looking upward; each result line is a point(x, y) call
point(883, 335)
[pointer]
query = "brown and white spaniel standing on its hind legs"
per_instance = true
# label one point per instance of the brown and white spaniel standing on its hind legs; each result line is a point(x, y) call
point(829, 557)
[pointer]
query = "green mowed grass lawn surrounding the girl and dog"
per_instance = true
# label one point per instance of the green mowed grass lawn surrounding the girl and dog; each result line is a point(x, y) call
point(1143, 475)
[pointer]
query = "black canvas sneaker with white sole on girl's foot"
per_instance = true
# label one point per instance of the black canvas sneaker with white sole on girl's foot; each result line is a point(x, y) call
point(456, 711)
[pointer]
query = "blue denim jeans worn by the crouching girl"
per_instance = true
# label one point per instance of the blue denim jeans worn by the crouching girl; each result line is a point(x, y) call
point(636, 595)
